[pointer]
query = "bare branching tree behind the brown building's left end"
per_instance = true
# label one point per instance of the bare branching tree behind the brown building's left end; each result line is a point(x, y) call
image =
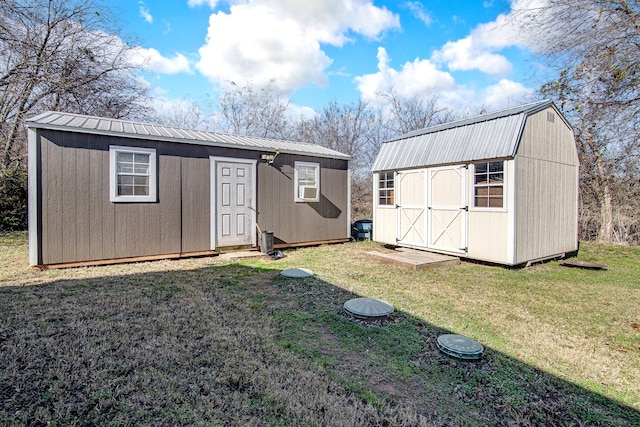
point(60, 55)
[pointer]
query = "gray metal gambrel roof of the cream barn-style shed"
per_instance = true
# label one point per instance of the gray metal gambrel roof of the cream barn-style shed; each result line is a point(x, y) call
point(487, 136)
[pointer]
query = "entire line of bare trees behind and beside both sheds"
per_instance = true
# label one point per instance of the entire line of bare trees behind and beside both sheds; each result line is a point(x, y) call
point(70, 56)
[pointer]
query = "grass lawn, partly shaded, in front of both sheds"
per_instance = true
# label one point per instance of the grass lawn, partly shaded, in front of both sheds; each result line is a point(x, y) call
point(212, 342)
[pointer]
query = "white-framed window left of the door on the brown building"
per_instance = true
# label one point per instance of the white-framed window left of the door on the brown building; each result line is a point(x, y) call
point(132, 174)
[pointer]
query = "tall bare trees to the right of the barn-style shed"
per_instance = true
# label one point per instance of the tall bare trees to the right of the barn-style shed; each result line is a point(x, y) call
point(596, 47)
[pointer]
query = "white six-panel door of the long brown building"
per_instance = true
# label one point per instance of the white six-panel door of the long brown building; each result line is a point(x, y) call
point(234, 203)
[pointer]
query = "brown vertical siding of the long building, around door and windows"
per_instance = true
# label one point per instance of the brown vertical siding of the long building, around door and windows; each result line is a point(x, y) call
point(80, 223)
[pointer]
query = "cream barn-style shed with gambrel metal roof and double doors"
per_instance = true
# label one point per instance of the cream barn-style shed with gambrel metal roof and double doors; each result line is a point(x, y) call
point(500, 187)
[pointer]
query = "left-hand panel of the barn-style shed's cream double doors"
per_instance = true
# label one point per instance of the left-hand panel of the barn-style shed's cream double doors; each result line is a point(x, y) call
point(410, 202)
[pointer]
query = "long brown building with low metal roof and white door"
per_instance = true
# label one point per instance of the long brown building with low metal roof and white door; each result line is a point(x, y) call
point(104, 190)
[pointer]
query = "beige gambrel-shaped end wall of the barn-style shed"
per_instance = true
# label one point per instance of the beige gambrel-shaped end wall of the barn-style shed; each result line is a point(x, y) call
point(546, 191)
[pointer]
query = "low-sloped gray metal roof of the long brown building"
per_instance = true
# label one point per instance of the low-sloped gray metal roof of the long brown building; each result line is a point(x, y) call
point(127, 129)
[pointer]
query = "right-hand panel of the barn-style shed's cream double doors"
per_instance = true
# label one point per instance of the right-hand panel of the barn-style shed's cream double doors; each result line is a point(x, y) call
point(447, 209)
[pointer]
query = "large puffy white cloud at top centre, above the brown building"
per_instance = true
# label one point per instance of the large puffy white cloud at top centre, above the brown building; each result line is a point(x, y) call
point(263, 40)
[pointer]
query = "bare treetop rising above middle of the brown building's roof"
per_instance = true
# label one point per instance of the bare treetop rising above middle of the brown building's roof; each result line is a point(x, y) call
point(254, 111)
